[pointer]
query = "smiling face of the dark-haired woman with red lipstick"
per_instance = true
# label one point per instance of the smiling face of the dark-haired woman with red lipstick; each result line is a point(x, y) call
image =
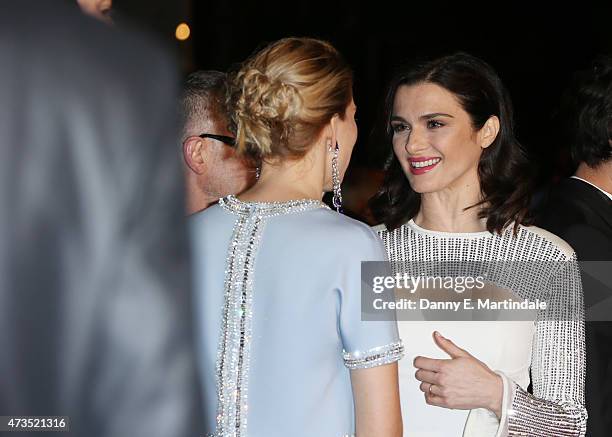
point(434, 139)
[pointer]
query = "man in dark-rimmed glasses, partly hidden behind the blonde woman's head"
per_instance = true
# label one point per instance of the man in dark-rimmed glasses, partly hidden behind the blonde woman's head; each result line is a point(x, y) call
point(212, 167)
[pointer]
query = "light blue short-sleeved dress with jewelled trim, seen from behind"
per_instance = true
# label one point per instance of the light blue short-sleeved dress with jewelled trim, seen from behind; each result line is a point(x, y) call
point(278, 289)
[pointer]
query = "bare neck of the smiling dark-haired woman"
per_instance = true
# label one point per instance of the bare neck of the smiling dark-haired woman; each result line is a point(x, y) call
point(445, 211)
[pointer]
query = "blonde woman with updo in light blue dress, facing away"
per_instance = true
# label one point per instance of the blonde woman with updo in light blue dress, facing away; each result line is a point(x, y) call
point(284, 351)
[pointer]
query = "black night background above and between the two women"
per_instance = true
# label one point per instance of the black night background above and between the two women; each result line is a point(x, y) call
point(534, 47)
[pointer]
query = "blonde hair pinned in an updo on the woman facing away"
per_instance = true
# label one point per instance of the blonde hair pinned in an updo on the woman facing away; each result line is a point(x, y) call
point(285, 94)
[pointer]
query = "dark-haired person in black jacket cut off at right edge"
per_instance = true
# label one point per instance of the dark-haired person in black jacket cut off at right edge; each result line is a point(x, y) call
point(579, 209)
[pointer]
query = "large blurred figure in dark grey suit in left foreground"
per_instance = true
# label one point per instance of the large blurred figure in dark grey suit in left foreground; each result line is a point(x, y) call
point(95, 312)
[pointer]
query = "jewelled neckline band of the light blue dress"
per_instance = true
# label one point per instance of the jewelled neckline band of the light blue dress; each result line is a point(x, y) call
point(269, 209)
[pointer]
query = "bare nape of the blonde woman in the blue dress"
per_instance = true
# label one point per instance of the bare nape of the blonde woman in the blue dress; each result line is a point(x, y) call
point(288, 180)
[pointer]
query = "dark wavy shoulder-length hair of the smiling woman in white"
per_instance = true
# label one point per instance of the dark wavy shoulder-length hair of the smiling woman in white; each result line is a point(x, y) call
point(504, 171)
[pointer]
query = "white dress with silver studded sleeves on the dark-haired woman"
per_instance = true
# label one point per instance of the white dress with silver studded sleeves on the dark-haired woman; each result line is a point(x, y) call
point(551, 346)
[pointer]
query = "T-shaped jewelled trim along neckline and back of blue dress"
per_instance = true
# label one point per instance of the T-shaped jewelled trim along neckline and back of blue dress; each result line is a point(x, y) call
point(233, 355)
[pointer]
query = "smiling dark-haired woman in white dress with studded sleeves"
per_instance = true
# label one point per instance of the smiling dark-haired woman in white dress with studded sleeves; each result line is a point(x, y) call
point(456, 192)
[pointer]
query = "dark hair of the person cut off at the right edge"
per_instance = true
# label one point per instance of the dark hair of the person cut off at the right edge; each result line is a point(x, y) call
point(587, 113)
